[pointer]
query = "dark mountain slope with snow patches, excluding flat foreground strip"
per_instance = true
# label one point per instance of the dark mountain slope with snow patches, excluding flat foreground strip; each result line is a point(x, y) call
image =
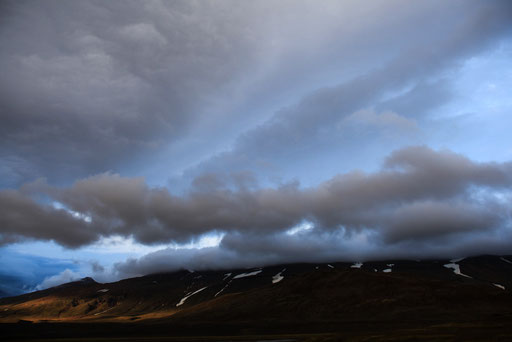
point(297, 296)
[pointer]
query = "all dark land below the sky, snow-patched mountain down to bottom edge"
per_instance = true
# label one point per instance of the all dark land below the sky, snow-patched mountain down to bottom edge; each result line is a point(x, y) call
point(436, 300)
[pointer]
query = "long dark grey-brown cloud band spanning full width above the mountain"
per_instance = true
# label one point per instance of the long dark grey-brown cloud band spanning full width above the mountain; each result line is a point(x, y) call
point(419, 194)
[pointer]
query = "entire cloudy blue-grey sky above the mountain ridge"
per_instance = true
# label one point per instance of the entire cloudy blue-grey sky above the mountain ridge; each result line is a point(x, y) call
point(150, 136)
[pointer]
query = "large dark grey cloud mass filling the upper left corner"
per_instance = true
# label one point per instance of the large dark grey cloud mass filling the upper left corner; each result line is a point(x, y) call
point(87, 84)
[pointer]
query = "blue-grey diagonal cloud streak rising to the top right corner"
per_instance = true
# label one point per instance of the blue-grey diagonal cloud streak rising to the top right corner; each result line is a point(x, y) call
point(401, 78)
